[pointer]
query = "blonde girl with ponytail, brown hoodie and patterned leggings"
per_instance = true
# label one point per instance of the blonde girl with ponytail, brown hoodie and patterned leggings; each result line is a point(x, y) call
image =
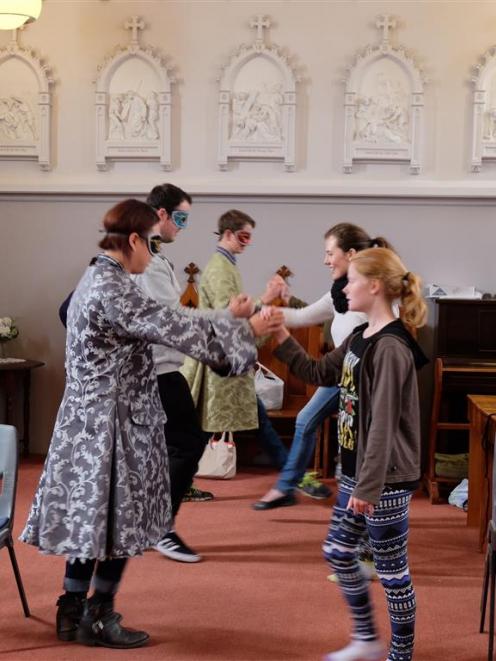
point(379, 435)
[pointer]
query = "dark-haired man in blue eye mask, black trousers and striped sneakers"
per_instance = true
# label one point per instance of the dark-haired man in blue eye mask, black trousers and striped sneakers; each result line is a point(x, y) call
point(184, 436)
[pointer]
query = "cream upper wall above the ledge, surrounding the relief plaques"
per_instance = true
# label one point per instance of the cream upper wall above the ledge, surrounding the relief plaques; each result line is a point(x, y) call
point(198, 36)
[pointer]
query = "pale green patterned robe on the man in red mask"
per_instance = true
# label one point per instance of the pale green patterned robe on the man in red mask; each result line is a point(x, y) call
point(224, 403)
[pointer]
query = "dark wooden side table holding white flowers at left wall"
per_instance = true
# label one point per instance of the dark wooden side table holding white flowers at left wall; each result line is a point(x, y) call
point(12, 376)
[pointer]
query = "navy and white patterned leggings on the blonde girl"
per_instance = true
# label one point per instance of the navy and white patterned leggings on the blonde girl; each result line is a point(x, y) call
point(388, 533)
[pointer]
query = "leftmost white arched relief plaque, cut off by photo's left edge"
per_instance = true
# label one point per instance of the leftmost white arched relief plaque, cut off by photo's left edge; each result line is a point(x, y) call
point(25, 105)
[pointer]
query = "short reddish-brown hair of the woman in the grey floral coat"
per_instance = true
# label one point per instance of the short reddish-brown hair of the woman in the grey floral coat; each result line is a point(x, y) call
point(125, 218)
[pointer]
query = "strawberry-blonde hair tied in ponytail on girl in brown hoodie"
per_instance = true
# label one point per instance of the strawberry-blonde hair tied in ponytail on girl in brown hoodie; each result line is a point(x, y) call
point(399, 284)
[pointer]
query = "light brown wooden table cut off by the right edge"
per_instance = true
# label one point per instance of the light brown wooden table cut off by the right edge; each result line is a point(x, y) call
point(481, 408)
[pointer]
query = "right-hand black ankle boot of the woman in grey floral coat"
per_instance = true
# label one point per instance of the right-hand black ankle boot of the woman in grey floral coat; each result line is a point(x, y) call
point(100, 625)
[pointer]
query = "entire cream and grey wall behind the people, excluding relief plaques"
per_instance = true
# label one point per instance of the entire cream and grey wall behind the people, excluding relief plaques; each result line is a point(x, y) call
point(441, 222)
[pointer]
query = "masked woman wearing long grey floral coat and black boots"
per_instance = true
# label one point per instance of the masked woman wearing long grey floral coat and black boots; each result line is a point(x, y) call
point(104, 492)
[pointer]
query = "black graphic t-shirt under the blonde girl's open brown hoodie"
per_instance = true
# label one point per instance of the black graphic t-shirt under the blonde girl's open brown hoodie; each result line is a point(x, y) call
point(348, 404)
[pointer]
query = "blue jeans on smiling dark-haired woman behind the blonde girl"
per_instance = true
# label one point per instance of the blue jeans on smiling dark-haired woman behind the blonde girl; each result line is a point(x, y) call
point(323, 403)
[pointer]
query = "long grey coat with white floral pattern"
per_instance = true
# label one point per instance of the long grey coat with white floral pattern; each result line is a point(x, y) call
point(104, 490)
